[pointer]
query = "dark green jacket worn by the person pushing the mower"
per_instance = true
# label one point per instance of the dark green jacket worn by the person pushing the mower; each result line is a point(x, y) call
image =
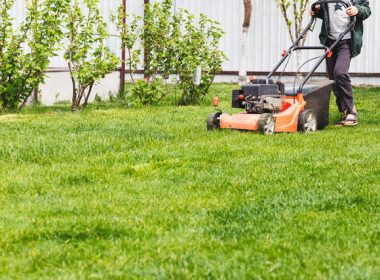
point(356, 34)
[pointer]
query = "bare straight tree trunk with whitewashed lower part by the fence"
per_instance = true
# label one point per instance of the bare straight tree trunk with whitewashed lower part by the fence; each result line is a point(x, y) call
point(244, 42)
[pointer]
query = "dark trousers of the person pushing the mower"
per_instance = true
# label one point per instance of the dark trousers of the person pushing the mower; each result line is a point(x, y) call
point(337, 68)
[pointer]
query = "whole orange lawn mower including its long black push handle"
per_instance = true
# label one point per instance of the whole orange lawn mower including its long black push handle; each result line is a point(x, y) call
point(271, 107)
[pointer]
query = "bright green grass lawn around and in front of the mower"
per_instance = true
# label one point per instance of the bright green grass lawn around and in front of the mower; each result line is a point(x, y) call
point(122, 193)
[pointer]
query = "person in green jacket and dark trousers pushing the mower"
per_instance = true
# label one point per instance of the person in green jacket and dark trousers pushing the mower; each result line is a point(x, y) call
point(336, 18)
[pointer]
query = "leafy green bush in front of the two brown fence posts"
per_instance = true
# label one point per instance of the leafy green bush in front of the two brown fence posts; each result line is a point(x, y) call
point(158, 34)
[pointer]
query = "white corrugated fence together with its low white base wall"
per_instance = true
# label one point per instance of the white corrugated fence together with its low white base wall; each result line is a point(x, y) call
point(268, 36)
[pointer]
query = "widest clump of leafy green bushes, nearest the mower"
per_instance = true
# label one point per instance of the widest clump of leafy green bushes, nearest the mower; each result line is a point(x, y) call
point(175, 45)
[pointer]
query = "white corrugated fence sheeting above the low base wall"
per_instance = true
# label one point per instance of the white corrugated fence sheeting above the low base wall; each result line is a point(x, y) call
point(268, 35)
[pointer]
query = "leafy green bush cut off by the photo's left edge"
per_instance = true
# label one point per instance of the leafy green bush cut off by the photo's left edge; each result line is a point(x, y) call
point(25, 51)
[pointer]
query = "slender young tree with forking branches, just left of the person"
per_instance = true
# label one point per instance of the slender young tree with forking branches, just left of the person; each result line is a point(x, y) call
point(293, 12)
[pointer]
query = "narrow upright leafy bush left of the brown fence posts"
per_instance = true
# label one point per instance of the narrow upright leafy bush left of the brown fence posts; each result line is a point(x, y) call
point(88, 57)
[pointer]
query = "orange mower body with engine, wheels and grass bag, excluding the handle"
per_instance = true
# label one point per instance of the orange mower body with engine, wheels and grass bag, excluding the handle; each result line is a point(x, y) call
point(305, 112)
